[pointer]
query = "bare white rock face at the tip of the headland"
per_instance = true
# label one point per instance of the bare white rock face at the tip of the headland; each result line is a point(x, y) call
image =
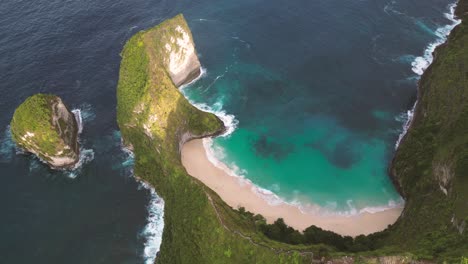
point(182, 61)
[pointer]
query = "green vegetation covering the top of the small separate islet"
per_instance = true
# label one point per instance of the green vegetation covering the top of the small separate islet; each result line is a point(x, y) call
point(34, 116)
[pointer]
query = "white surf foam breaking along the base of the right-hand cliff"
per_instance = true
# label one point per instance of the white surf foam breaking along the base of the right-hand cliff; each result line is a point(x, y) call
point(421, 63)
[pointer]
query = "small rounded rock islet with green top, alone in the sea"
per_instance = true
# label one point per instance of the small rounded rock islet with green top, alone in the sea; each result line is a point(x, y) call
point(44, 126)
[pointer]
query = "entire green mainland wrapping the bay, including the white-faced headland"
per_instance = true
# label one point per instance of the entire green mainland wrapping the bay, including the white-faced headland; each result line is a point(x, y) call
point(429, 167)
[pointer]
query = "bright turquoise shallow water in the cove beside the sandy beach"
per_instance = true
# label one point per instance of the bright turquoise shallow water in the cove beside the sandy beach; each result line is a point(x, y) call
point(323, 163)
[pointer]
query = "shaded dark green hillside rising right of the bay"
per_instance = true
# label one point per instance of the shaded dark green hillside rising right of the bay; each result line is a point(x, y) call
point(435, 147)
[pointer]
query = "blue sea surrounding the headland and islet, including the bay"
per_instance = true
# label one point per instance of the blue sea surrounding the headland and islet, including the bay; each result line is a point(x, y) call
point(284, 69)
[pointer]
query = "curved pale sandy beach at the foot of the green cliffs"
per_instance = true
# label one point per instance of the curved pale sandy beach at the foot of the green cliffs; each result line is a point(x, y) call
point(237, 194)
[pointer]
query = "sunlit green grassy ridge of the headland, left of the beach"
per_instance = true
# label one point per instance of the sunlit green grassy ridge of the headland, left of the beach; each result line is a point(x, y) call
point(199, 226)
